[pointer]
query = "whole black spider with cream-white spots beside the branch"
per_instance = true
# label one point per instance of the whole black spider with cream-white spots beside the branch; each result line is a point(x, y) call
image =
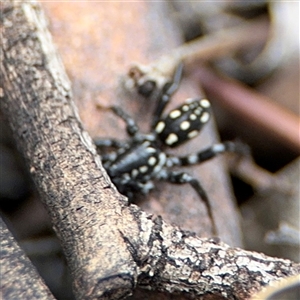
point(135, 164)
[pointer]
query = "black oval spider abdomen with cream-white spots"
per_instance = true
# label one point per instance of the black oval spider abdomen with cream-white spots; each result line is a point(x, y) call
point(183, 122)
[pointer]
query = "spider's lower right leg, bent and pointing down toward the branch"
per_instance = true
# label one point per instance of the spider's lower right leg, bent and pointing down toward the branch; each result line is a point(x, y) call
point(181, 178)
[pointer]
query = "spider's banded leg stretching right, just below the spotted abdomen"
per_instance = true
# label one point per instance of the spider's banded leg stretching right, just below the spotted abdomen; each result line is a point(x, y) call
point(209, 153)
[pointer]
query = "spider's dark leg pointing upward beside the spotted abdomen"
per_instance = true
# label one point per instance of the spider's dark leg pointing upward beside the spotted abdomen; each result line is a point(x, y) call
point(167, 91)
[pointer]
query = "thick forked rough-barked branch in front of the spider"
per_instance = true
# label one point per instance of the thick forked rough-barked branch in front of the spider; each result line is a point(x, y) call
point(111, 248)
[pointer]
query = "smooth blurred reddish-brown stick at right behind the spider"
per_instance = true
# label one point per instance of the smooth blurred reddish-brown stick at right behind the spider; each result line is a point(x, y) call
point(255, 108)
